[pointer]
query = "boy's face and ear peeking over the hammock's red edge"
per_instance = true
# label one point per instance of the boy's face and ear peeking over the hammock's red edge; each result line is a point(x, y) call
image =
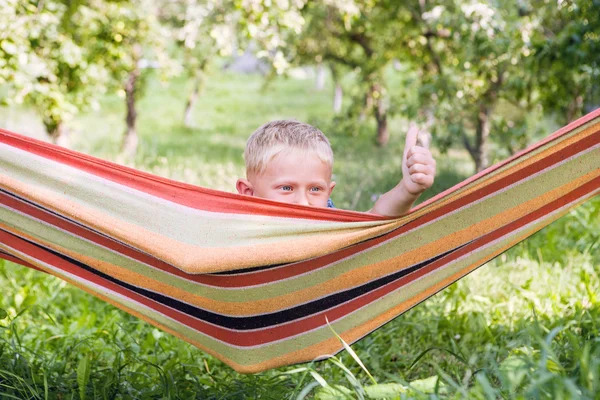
point(291, 177)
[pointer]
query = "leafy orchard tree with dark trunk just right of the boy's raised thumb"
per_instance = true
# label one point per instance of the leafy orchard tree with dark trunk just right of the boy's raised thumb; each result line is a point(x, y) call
point(473, 56)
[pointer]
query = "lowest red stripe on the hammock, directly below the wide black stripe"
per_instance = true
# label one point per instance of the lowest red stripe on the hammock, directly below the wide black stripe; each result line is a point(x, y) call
point(267, 335)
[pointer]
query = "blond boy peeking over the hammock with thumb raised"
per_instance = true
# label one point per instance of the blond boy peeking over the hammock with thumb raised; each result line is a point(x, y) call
point(292, 162)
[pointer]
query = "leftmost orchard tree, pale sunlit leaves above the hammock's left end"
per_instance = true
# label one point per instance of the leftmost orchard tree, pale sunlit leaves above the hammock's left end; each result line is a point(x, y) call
point(46, 60)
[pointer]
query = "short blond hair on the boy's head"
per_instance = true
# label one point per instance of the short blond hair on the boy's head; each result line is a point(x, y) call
point(278, 136)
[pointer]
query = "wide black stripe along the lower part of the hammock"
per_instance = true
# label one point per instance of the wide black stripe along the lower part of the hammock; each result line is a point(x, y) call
point(258, 321)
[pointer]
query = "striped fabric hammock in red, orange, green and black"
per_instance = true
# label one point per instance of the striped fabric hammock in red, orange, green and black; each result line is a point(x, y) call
point(253, 282)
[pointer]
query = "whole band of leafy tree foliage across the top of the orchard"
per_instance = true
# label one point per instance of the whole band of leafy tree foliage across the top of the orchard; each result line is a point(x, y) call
point(467, 60)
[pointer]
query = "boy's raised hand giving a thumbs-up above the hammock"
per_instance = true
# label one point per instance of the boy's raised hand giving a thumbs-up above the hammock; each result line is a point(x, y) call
point(418, 165)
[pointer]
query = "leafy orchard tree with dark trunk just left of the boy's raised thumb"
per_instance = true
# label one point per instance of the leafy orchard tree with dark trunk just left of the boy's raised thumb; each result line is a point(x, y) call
point(362, 36)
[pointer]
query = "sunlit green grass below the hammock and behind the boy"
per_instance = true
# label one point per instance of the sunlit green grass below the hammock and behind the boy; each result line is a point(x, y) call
point(526, 325)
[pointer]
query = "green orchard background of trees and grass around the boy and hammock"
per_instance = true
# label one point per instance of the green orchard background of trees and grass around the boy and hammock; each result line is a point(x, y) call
point(175, 87)
